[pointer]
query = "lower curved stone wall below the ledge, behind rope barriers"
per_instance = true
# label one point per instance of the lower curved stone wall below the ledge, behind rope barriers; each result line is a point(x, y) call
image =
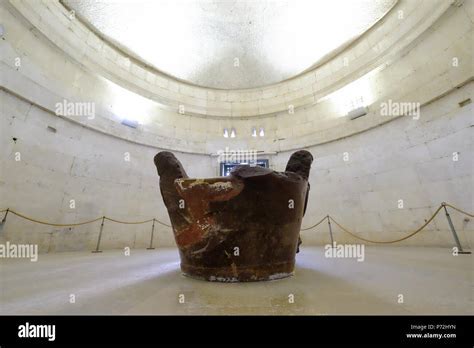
point(359, 180)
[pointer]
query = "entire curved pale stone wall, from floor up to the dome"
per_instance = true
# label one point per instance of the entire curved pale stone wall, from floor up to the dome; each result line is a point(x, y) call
point(390, 157)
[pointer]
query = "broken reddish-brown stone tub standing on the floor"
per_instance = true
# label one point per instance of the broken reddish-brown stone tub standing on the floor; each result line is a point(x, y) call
point(244, 227)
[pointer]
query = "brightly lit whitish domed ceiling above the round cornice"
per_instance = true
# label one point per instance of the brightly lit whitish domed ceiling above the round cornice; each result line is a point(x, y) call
point(231, 44)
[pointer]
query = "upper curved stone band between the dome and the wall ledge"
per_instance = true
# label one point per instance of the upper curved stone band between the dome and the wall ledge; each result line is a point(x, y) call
point(405, 72)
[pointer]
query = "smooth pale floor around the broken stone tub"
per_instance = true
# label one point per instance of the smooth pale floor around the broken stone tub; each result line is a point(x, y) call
point(431, 280)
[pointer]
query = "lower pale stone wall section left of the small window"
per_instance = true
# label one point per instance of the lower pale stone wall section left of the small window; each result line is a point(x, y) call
point(53, 161)
